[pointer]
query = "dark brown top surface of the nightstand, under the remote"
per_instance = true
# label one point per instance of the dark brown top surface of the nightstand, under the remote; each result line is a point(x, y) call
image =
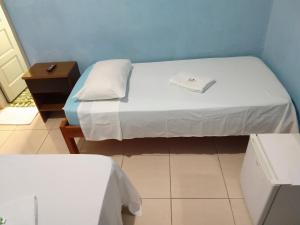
point(39, 70)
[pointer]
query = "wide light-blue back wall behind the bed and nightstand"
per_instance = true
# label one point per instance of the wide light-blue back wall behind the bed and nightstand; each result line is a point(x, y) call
point(142, 30)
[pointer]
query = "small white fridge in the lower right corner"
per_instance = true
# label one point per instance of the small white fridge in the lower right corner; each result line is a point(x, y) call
point(270, 179)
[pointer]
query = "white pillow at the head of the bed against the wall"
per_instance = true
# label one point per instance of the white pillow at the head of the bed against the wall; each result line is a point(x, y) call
point(107, 80)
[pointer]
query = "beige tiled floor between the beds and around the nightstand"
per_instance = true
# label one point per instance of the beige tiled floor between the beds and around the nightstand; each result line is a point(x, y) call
point(183, 181)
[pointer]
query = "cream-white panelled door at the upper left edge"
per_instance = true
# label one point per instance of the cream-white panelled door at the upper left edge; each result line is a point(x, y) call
point(12, 63)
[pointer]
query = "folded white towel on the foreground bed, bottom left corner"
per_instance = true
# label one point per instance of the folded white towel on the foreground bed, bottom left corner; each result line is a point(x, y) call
point(22, 211)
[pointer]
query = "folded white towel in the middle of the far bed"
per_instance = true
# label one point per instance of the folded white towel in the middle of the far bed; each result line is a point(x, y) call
point(192, 82)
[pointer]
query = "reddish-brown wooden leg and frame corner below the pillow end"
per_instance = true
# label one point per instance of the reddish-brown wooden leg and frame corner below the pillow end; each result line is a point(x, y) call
point(69, 133)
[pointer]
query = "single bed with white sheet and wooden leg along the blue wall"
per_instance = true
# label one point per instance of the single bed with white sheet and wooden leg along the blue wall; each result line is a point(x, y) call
point(247, 98)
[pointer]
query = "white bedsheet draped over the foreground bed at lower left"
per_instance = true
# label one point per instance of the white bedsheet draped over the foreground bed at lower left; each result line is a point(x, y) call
point(71, 189)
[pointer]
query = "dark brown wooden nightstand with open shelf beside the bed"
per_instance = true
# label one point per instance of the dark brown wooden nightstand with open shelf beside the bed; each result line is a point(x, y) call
point(50, 90)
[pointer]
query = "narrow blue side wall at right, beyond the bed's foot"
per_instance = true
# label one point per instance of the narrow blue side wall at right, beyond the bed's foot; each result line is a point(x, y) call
point(282, 45)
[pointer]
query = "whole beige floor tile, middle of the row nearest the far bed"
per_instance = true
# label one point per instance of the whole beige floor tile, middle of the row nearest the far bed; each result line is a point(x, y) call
point(196, 176)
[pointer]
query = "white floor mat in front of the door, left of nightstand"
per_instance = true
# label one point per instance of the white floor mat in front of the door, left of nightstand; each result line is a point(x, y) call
point(17, 115)
